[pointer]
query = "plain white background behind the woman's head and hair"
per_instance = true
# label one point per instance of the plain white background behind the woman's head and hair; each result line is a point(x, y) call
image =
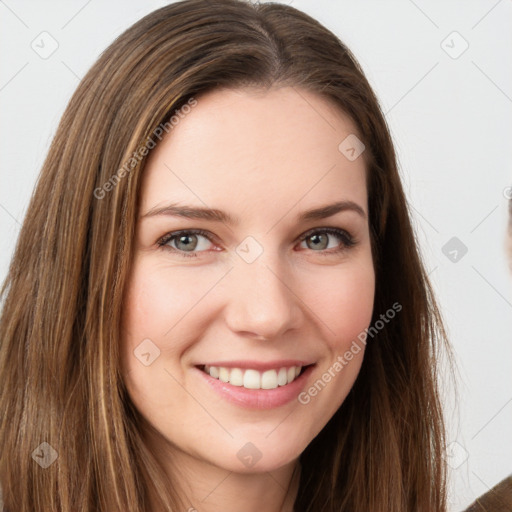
point(451, 122)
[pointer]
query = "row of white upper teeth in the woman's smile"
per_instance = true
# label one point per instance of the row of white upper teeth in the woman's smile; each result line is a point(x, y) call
point(253, 379)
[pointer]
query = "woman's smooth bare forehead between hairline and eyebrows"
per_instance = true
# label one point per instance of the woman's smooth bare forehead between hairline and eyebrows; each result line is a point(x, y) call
point(256, 151)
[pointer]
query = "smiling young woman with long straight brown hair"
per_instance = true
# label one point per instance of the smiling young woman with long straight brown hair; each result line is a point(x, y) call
point(216, 299)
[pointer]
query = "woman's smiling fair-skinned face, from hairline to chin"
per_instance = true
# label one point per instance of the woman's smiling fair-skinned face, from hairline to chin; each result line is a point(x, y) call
point(264, 288)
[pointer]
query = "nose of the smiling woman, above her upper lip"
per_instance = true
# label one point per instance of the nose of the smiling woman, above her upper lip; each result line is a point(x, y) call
point(262, 303)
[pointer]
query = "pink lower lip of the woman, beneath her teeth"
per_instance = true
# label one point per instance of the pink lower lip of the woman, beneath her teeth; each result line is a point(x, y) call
point(258, 398)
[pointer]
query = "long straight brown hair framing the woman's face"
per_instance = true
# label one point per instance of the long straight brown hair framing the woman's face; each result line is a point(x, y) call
point(59, 329)
